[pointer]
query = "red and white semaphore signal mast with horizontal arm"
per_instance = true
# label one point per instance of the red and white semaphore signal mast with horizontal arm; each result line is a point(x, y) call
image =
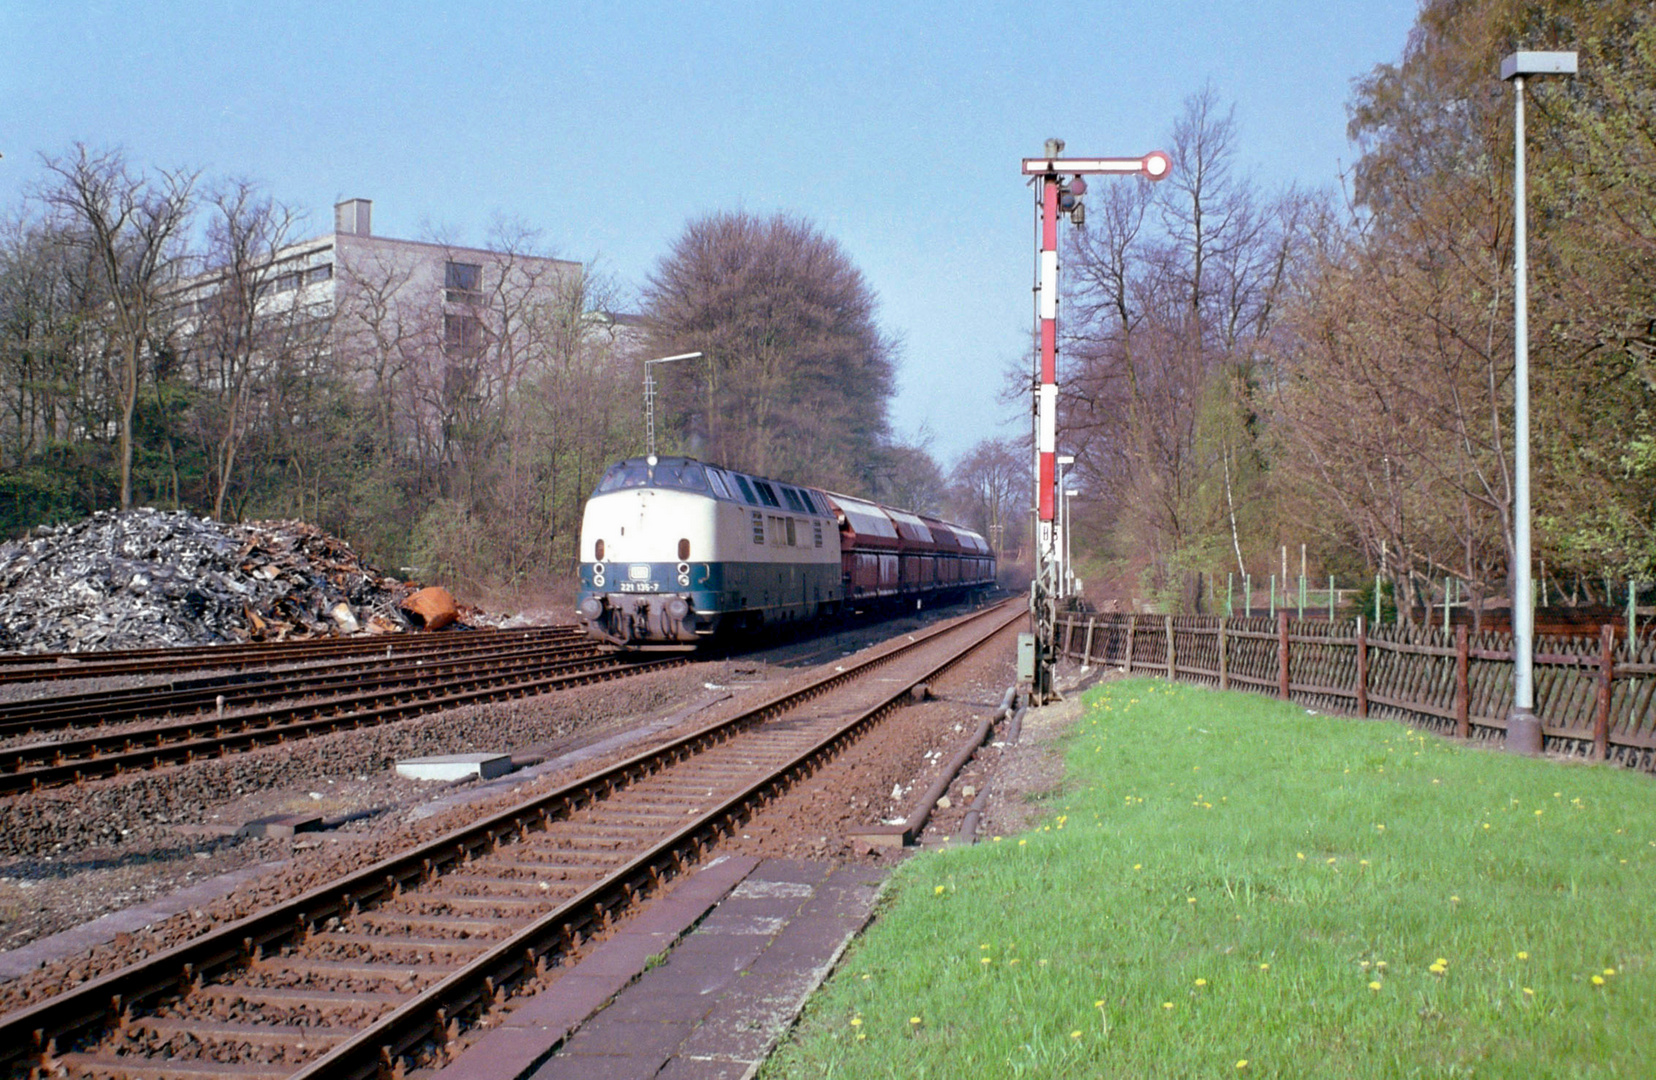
point(1056, 195)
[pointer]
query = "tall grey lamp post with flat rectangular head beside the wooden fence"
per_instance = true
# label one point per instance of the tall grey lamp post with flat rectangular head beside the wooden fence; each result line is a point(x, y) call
point(1524, 728)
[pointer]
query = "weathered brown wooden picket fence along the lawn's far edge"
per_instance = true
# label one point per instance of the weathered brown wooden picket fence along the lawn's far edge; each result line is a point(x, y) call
point(1596, 698)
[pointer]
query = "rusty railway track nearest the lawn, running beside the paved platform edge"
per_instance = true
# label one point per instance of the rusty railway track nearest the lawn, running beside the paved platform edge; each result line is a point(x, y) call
point(385, 968)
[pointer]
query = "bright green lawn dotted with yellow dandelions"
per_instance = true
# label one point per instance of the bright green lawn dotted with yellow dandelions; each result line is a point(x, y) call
point(1225, 879)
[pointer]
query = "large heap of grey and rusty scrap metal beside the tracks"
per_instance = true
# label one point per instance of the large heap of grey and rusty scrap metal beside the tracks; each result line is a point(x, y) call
point(161, 579)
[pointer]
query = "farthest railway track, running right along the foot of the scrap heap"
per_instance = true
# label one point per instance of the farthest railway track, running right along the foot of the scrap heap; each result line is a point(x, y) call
point(59, 667)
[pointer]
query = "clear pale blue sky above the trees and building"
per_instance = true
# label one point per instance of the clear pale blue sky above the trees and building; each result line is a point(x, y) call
point(897, 128)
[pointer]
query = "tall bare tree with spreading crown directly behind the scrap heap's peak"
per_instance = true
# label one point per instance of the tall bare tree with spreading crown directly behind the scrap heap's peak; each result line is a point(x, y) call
point(133, 231)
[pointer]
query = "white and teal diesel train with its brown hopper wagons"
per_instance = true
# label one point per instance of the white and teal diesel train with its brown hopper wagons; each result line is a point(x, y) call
point(676, 552)
